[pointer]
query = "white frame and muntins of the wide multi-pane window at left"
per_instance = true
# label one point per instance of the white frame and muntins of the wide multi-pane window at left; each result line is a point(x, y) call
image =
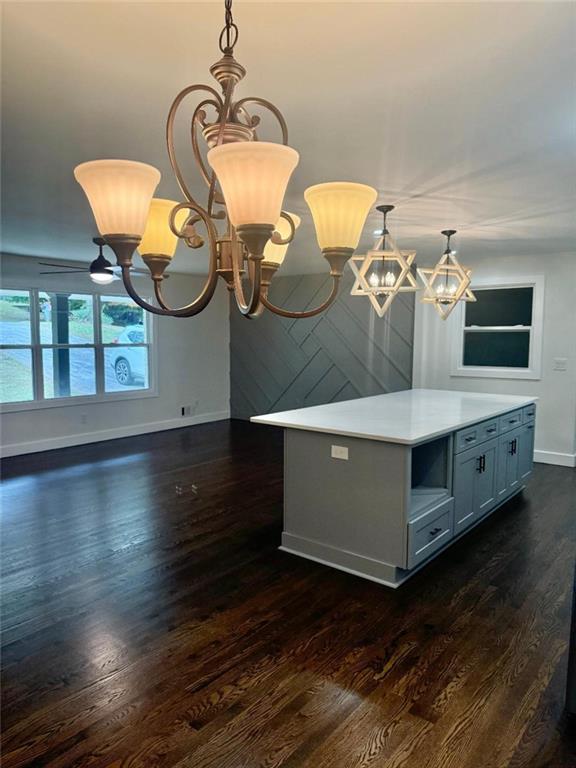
point(101, 396)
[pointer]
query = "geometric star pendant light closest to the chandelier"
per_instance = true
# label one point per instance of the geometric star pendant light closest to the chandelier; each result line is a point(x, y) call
point(383, 272)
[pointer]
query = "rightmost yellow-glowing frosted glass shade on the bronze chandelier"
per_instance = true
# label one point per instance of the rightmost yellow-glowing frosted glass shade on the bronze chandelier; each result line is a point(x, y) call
point(339, 210)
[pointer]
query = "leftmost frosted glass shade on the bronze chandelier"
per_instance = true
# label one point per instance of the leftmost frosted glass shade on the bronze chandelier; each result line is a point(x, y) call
point(119, 193)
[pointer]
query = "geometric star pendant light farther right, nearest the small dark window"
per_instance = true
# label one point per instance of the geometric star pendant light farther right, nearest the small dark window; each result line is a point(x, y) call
point(448, 282)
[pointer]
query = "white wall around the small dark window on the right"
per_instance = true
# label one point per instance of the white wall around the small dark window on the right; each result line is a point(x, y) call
point(556, 421)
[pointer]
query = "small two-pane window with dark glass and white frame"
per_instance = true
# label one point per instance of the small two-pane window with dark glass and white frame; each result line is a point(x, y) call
point(500, 334)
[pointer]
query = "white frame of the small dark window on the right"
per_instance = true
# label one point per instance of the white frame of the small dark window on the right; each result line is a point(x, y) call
point(534, 370)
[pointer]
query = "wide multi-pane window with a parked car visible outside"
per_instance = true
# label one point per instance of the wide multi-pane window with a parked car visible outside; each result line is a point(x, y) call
point(59, 346)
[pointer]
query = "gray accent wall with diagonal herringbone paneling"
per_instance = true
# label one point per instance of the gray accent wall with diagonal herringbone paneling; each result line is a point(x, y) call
point(346, 352)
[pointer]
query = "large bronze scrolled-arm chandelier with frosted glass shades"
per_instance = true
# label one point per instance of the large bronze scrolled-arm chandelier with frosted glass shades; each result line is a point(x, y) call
point(242, 222)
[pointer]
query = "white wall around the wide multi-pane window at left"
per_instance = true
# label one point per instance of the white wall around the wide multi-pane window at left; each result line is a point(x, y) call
point(193, 369)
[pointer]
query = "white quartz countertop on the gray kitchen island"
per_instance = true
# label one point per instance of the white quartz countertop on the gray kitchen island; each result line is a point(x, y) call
point(409, 417)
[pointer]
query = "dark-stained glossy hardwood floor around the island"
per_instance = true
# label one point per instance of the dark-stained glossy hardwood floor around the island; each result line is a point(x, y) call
point(150, 620)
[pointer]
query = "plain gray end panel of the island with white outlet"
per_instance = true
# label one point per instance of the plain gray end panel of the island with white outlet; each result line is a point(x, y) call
point(358, 505)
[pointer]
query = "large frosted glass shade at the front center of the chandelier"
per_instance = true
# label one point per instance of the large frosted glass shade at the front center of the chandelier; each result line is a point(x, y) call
point(253, 176)
